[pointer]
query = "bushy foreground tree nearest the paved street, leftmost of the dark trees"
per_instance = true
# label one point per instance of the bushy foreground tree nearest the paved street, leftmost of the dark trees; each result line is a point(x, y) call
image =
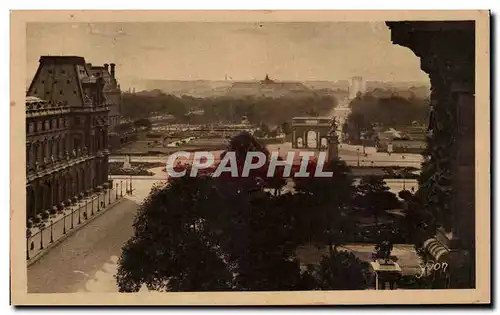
point(170, 250)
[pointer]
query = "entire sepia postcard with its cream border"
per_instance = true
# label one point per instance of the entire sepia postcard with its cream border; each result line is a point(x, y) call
point(318, 157)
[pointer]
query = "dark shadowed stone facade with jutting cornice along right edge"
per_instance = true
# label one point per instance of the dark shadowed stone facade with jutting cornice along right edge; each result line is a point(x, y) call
point(447, 54)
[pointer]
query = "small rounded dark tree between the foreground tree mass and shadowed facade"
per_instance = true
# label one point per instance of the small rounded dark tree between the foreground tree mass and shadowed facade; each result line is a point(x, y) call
point(374, 196)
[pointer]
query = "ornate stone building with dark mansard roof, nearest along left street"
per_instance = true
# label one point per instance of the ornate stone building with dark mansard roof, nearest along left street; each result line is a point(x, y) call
point(66, 134)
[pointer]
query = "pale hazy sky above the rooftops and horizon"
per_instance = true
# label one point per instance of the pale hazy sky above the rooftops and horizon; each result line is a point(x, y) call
point(296, 51)
